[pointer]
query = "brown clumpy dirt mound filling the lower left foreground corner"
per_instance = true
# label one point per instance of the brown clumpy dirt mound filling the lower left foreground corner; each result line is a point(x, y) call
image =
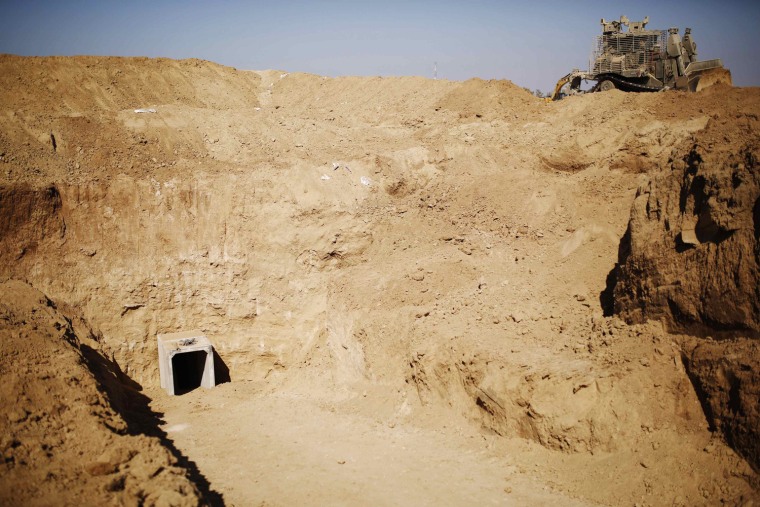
point(59, 426)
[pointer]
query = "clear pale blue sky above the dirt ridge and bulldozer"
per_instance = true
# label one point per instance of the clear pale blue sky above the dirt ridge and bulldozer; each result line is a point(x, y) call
point(531, 43)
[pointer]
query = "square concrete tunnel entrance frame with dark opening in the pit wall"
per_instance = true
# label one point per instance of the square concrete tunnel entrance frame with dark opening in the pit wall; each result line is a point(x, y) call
point(185, 361)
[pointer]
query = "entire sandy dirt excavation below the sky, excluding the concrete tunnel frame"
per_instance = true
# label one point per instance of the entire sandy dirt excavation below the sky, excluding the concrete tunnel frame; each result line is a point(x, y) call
point(401, 279)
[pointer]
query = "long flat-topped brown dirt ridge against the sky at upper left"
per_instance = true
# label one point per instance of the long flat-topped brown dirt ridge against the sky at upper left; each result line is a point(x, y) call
point(90, 83)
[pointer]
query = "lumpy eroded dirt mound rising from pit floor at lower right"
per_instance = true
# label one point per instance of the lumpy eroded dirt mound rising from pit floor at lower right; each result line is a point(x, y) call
point(574, 405)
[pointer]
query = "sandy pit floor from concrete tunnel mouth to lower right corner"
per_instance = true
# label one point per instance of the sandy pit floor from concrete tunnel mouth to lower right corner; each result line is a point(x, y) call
point(369, 444)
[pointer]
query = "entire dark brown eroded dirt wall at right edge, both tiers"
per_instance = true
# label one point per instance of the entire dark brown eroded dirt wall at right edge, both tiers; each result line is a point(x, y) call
point(691, 258)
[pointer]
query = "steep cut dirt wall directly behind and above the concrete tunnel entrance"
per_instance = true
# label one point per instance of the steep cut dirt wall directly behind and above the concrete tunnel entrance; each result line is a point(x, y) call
point(143, 257)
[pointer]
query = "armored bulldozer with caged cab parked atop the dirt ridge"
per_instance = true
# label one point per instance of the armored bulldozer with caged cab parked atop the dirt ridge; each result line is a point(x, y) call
point(638, 59)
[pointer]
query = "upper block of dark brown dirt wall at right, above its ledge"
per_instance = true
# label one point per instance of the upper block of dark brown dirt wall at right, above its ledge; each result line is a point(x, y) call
point(693, 257)
